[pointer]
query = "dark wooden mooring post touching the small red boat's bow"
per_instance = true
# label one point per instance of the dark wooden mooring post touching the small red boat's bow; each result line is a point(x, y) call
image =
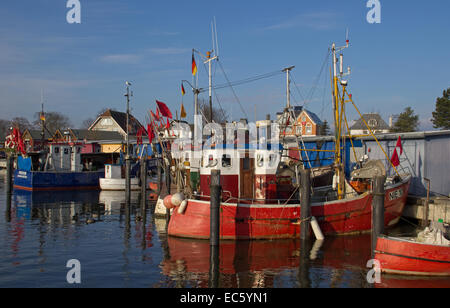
point(377, 209)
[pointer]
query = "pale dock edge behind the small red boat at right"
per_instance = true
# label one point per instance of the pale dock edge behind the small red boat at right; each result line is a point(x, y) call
point(438, 208)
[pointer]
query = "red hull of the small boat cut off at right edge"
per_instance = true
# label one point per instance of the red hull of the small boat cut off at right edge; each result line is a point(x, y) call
point(406, 257)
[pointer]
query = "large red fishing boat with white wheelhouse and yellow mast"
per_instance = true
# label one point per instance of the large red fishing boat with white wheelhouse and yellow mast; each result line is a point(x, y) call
point(260, 187)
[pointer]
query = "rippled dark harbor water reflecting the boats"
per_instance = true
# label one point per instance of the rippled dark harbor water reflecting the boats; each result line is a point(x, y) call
point(117, 247)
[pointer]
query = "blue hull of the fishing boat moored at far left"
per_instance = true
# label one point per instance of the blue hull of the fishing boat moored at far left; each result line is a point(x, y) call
point(54, 181)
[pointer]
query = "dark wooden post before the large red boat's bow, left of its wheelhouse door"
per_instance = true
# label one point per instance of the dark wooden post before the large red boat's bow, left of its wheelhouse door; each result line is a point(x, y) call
point(216, 193)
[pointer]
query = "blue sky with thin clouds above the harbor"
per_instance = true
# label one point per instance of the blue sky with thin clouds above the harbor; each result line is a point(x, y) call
point(82, 68)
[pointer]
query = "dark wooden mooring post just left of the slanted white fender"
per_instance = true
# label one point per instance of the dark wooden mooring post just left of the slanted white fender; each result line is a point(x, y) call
point(305, 203)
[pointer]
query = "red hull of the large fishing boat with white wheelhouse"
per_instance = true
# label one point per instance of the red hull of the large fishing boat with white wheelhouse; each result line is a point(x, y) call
point(279, 221)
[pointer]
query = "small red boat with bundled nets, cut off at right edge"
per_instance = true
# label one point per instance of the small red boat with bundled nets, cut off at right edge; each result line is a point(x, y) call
point(428, 254)
